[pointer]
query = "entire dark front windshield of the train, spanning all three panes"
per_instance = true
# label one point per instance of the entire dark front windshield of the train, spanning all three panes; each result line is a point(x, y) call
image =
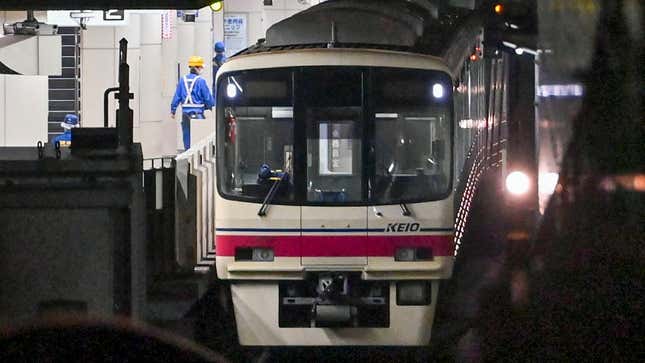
point(335, 135)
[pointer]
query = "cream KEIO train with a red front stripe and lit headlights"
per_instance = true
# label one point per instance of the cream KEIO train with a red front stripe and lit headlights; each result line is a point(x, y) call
point(347, 154)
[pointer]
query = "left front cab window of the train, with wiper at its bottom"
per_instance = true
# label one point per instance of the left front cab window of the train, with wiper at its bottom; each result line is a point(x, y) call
point(255, 133)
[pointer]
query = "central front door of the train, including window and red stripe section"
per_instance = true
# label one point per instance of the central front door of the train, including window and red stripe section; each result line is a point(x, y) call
point(334, 217)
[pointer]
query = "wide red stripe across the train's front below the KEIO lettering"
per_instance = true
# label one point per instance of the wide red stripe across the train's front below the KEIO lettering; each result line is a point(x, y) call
point(334, 246)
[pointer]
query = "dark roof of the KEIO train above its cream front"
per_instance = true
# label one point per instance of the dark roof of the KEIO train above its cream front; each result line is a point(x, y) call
point(395, 25)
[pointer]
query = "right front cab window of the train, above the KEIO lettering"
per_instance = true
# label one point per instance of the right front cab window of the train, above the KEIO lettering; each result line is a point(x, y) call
point(412, 136)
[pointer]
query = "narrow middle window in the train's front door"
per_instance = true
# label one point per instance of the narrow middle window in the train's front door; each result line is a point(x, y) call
point(333, 108)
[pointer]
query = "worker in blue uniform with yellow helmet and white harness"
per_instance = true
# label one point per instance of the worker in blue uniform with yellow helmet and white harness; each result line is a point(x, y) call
point(193, 95)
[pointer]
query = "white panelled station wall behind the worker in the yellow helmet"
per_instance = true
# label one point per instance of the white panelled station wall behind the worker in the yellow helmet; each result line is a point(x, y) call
point(154, 65)
